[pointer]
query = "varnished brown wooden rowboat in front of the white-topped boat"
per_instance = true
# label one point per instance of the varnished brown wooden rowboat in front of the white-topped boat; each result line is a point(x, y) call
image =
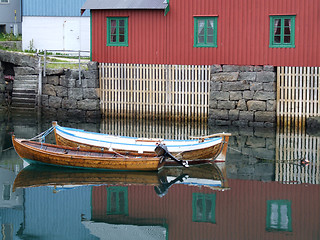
point(50, 154)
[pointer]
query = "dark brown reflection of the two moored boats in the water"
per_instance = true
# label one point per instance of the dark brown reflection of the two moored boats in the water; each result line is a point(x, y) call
point(208, 175)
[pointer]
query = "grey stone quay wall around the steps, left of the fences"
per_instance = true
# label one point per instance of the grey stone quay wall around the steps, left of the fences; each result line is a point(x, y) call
point(64, 95)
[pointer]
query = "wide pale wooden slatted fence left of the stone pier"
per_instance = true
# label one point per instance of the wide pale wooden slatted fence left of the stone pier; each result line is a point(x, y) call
point(155, 90)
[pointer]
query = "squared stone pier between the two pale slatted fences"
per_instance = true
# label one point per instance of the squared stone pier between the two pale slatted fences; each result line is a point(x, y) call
point(243, 95)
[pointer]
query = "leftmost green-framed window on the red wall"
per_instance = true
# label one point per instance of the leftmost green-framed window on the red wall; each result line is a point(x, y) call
point(117, 31)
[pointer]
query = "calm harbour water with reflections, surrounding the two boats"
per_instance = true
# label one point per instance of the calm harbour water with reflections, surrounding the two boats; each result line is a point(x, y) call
point(260, 192)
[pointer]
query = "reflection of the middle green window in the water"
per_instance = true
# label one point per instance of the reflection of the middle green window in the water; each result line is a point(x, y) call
point(203, 207)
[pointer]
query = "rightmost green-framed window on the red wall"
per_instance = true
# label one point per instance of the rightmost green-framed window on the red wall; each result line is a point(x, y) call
point(282, 31)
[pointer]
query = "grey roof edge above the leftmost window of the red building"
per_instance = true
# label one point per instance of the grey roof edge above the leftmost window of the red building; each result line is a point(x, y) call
point(124, 4)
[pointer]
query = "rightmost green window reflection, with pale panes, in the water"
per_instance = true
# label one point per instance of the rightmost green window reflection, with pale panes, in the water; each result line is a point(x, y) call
point(279, 215)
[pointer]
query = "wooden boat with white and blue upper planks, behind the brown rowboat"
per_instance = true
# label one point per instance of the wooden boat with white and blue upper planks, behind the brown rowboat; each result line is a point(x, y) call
point(197, 149)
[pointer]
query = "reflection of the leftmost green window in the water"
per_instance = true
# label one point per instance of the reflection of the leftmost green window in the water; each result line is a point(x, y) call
point(117, 200)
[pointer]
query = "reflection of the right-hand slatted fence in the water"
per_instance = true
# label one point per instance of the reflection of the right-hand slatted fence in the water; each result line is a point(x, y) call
point(294, 145)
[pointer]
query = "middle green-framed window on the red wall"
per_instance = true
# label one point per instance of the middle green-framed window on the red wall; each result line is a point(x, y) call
point(205, 31)
